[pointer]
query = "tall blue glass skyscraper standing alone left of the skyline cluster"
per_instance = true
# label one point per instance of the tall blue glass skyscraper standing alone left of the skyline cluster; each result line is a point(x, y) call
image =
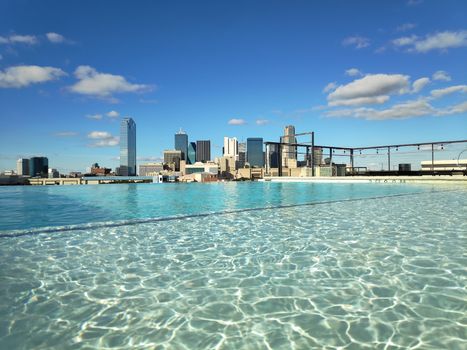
point(127, 147)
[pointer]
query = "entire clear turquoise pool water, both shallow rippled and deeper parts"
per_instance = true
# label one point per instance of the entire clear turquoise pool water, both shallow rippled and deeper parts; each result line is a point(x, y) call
point(350, 266)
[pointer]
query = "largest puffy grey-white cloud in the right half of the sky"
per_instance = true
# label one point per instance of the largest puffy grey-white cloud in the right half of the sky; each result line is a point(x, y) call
point(371, 89)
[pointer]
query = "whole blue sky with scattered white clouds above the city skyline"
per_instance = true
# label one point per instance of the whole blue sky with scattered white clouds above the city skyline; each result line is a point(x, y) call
point(357, 73)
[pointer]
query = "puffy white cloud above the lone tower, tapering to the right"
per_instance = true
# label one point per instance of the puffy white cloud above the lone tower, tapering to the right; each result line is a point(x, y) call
point(103, 85)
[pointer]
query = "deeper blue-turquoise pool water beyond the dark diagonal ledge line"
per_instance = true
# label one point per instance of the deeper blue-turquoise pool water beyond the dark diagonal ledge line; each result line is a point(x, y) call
point(27, 207)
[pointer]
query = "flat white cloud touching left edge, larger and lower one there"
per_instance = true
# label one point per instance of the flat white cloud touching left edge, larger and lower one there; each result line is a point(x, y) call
point(21, 76)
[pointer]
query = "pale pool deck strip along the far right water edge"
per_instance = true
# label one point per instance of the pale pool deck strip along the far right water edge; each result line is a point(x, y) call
point(371, 179)
